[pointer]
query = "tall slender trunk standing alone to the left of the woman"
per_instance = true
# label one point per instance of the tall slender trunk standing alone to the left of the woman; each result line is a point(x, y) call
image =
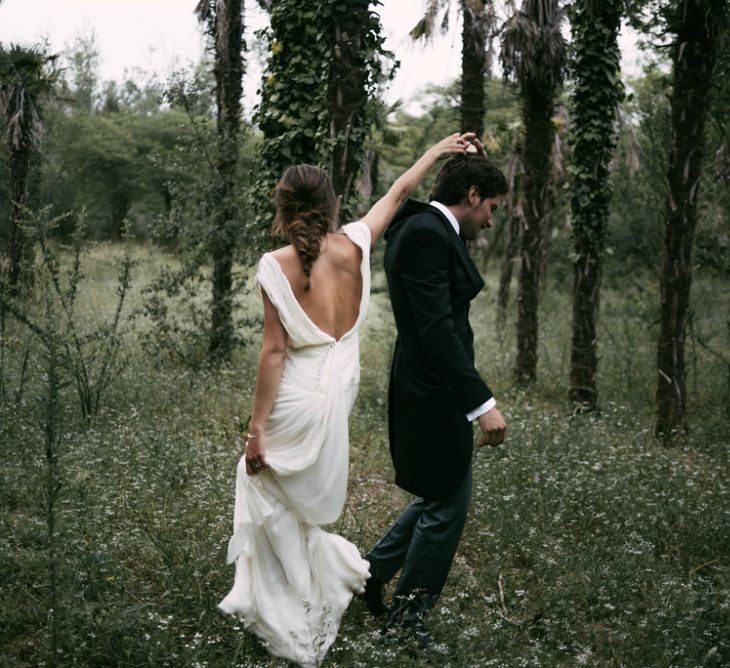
point(229, 68)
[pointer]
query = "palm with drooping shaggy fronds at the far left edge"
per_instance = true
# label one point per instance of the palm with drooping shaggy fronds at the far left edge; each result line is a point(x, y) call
point(25, 82)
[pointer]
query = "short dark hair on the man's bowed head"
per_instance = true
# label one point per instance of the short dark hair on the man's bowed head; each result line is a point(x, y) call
point(459, 174)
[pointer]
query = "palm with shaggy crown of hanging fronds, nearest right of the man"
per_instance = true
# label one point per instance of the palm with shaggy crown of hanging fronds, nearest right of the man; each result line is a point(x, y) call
point(534, 54)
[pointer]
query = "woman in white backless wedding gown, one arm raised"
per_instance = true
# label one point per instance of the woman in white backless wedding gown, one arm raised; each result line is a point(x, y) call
point(294, 581)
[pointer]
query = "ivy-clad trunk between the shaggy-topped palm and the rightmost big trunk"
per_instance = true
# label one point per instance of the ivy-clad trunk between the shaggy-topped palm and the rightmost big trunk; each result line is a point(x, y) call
point(596, 95)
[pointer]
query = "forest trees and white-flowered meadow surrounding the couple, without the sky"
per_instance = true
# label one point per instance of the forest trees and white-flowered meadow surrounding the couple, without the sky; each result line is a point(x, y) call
point(132, 214)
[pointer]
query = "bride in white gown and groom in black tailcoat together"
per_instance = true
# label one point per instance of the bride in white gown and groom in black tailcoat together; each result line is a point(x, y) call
point(293, 580)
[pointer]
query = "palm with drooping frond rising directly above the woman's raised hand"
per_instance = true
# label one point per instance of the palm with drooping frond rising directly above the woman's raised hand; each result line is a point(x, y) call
point(478, 18)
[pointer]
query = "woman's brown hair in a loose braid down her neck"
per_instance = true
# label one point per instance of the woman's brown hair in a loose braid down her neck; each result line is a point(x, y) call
point(306, 210)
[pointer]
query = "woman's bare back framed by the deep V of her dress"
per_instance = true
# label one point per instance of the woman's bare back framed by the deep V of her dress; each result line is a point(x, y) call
point(333, 299)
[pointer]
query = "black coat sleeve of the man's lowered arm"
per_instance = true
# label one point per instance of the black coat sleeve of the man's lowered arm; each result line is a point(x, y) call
point(423, 264)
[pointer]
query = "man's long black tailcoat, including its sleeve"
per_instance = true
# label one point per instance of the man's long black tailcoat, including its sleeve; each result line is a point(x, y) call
point(433, 382)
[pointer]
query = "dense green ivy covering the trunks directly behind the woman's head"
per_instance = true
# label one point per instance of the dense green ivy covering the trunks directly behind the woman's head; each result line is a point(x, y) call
point(319, 92)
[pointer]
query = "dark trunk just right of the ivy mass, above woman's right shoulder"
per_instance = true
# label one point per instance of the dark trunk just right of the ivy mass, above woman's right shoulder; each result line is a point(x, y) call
point(346, 95)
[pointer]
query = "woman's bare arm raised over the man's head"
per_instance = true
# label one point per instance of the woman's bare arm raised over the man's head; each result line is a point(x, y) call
point(384, 209)
